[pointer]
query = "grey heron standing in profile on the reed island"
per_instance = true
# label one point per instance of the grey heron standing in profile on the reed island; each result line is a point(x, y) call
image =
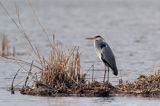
point(105, 54)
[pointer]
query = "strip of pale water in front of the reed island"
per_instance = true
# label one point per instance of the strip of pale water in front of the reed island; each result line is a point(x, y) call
point(6, 99)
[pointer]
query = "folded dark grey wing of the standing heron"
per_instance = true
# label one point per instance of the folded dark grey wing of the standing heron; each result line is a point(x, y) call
point(109, 59)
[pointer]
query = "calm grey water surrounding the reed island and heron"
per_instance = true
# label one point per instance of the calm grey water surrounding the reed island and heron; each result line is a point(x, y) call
point(132, 29)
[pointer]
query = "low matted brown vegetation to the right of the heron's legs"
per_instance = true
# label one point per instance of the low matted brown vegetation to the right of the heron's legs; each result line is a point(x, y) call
point(144, 85)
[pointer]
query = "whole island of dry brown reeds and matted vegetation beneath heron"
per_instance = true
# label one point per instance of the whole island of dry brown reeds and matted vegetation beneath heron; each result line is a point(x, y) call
point(61, 75)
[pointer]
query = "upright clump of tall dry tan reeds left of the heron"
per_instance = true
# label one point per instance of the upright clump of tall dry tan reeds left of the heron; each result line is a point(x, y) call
point(62, 69)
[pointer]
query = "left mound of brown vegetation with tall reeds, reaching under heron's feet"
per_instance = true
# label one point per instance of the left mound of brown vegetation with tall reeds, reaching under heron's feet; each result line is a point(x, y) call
point(61, 75)
